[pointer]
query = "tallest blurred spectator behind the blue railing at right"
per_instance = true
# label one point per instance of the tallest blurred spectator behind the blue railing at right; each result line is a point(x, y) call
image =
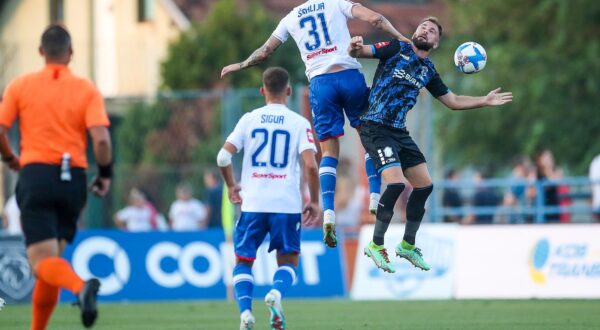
point(546, 171)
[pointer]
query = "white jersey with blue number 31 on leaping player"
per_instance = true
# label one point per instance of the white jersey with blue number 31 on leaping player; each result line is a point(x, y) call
point(320, 30)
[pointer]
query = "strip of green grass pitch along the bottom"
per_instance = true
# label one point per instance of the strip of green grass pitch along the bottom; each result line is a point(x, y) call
point(331, 314)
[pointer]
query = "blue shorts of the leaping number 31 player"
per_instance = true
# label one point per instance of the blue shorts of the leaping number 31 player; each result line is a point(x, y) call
point(331, 95)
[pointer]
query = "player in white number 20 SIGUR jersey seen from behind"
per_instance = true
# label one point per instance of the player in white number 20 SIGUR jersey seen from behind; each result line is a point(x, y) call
point(275, 140)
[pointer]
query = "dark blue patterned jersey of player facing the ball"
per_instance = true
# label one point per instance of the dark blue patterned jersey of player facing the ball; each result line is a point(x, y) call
point(399, 77)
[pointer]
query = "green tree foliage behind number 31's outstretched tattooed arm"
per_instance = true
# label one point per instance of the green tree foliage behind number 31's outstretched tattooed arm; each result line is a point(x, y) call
point(227, 35)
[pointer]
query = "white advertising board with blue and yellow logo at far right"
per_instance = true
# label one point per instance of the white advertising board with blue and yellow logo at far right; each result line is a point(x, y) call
point(528, 261)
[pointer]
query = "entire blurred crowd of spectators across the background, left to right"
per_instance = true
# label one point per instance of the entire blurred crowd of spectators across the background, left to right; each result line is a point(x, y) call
point(466, 197)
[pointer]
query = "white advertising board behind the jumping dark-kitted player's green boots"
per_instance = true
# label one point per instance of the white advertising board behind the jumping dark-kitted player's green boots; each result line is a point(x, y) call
point(437, 243)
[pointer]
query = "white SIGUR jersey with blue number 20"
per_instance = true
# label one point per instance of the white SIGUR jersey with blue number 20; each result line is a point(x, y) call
point(272, 137)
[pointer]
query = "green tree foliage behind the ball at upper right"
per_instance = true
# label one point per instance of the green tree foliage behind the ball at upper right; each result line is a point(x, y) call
point(545, 52)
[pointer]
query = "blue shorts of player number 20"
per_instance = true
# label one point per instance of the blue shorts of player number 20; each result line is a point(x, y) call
point(252, 228)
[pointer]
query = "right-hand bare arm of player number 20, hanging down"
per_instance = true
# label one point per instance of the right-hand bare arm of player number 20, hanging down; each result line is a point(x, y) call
point(310, 168)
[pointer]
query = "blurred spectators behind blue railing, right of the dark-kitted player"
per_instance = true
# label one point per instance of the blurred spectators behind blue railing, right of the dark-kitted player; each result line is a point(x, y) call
point(514, 203)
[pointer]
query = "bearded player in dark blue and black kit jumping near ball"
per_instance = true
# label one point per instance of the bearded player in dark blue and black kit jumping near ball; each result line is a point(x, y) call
point(405, 68)
